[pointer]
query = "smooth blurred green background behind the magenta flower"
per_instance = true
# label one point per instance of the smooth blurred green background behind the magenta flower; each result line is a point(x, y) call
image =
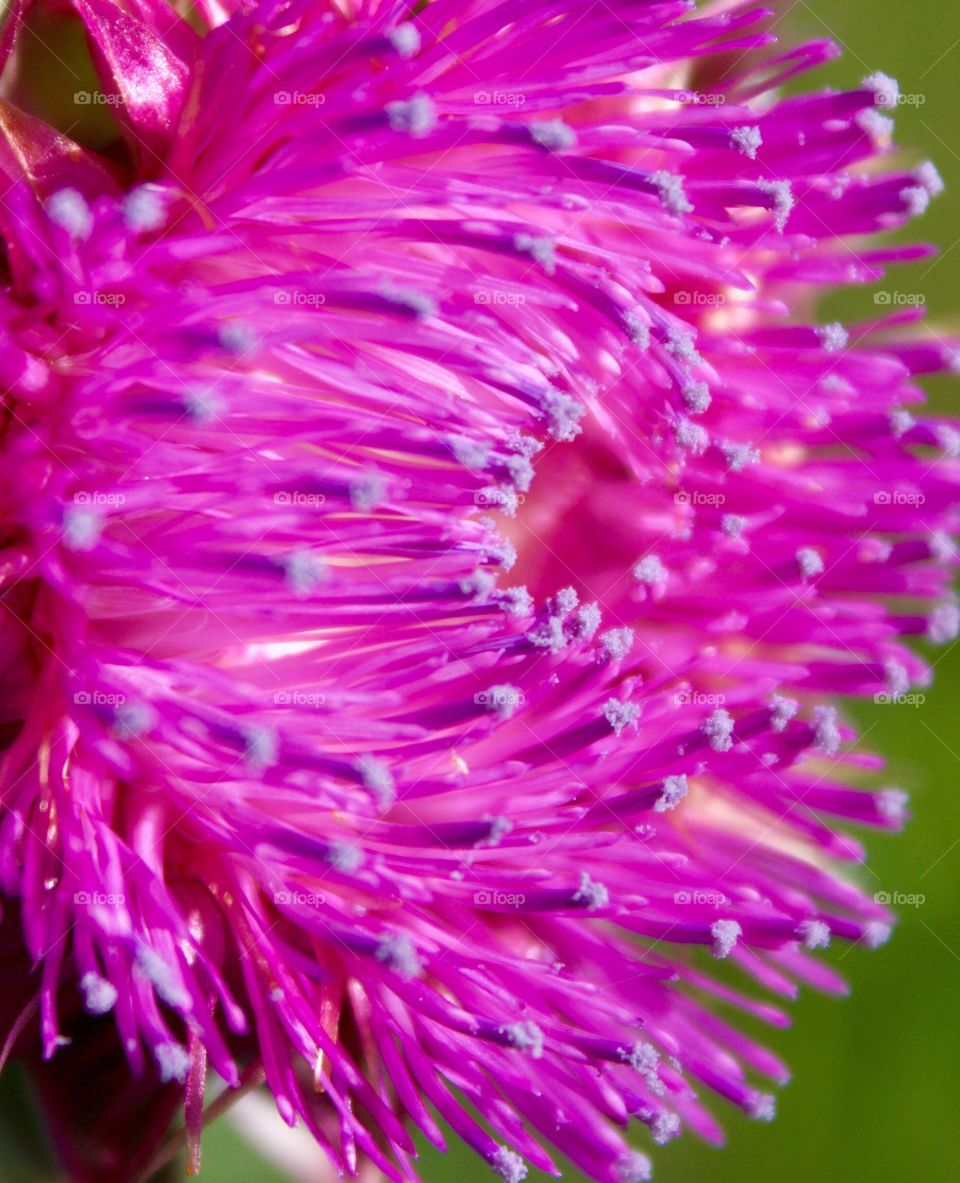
point(877, 1081)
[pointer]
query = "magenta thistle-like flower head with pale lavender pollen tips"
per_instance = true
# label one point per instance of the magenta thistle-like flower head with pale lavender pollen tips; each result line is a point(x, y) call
point(437, 528)
